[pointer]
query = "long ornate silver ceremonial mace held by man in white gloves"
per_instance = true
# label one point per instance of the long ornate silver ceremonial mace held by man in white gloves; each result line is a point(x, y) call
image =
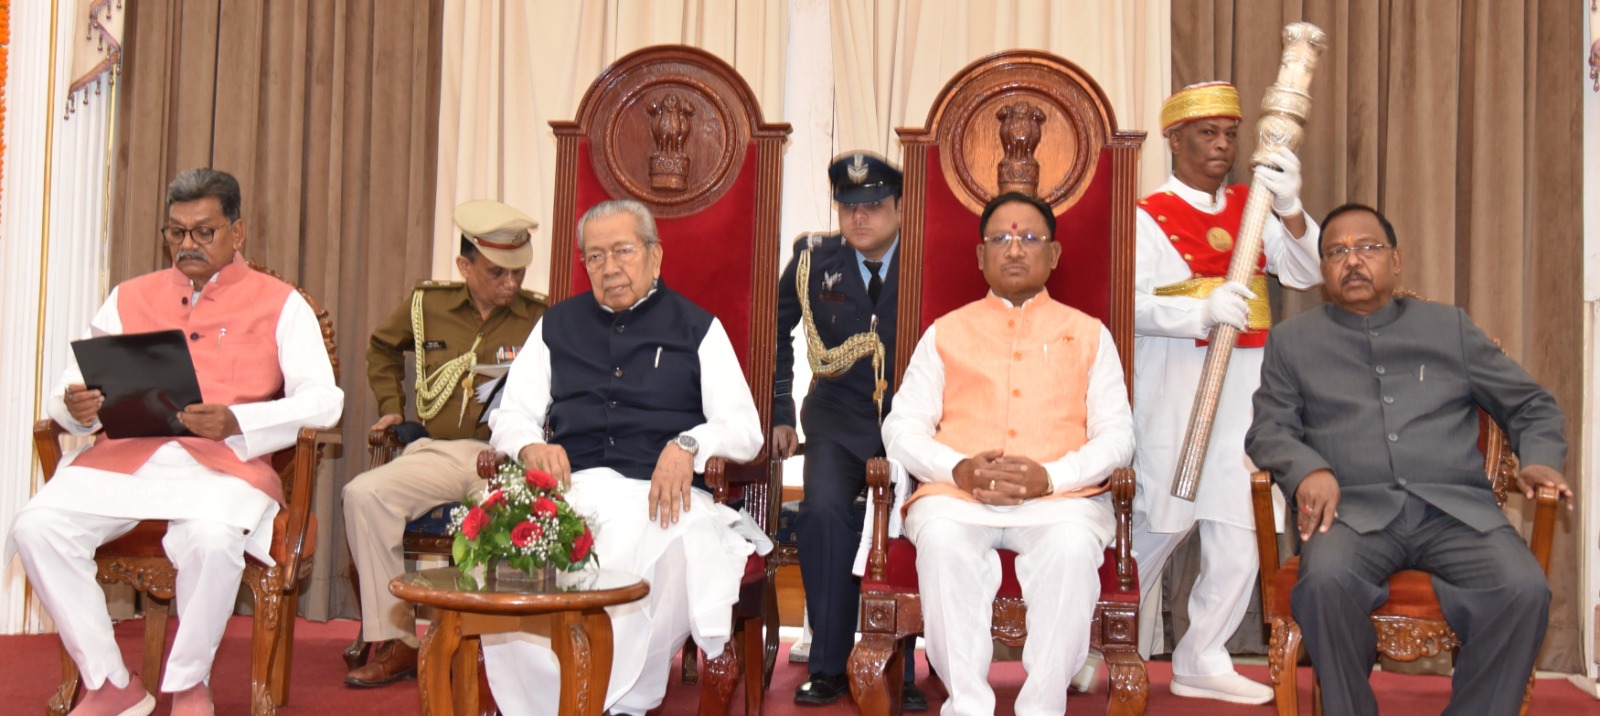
point(1284, 113)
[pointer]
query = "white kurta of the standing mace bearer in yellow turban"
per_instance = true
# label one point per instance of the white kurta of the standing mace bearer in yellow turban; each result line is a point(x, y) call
point(1167, 368)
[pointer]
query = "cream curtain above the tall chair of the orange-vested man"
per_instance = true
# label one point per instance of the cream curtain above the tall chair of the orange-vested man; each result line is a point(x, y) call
point(892, 58)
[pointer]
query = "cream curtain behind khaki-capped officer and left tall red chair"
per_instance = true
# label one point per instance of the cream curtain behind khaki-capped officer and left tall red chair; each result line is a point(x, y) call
point(513, 66)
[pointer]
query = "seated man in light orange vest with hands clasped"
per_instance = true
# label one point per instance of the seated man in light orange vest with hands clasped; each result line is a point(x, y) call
point(1012, 413)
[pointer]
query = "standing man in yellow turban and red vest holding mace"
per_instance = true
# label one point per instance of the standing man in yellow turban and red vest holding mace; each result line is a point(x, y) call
point(1185, 236)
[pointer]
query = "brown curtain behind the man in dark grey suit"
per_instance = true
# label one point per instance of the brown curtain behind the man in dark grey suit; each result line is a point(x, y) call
point(1460, 121)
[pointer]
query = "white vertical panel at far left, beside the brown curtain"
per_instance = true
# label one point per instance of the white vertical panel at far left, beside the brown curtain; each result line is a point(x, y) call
point(65, 221)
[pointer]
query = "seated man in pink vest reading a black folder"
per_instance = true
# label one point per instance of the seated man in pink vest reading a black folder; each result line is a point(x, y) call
point(263, 370)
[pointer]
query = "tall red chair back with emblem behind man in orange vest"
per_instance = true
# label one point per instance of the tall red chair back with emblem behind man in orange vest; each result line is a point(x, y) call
point(1033, 122)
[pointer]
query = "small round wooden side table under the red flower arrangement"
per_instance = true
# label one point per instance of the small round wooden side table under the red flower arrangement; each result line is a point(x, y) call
point(572, 613)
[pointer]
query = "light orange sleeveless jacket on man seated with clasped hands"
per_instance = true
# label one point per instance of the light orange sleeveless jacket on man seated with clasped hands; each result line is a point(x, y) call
point(1017, 380)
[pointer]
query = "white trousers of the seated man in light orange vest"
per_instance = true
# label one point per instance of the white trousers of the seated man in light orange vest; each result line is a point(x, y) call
point(959, 575)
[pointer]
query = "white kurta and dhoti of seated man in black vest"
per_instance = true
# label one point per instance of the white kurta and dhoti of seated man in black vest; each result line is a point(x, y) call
point(694, 567)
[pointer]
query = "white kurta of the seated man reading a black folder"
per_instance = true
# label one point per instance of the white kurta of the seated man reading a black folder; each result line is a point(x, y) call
point(185, 490)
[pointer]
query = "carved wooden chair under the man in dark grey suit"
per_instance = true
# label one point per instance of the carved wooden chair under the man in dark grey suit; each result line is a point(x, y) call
point(1410, 626)
